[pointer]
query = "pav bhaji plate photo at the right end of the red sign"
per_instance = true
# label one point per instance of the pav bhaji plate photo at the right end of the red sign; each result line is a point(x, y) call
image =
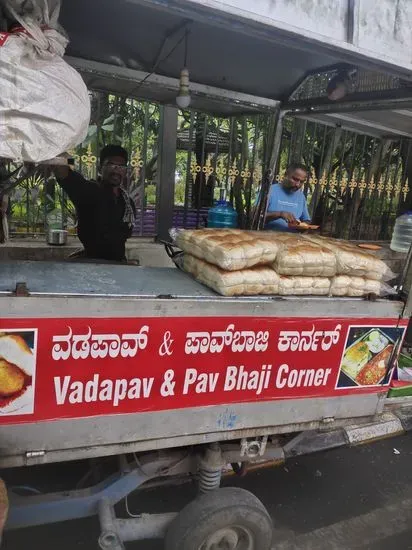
point(367, 357)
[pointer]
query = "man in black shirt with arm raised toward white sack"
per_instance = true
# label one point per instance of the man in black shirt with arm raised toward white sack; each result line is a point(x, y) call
point(105, 212)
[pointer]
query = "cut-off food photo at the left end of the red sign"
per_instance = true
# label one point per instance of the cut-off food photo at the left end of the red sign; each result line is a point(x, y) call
point(17, 371)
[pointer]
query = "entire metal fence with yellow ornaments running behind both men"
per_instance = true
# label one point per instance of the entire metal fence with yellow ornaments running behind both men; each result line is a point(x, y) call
point(357, 184)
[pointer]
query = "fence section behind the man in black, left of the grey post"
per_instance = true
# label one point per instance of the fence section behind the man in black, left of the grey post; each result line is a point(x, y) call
point(37, 203)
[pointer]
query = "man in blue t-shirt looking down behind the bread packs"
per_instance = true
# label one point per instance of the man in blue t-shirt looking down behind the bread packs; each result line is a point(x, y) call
point(287, 204)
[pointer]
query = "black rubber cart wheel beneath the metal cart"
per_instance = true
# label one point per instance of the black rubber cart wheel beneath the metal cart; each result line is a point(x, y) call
point(226, 519)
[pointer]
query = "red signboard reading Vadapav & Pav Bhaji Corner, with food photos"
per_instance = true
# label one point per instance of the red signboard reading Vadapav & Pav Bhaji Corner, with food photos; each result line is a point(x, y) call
point(74, 368)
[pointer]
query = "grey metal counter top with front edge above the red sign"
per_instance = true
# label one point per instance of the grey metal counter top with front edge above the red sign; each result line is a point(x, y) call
point(89, 289)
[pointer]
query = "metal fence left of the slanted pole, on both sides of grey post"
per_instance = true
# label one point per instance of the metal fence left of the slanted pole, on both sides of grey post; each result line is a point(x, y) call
point(215, 158)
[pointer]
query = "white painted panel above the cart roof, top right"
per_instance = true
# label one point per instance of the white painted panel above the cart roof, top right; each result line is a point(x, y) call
point(383, 28)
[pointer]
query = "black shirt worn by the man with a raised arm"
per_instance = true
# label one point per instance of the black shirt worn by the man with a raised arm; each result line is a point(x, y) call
point(100, 212)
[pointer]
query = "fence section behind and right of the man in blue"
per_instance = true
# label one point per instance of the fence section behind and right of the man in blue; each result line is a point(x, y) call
point(357, 184)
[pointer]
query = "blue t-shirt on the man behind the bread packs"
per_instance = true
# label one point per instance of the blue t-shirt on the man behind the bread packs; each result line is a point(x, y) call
point(279, 201)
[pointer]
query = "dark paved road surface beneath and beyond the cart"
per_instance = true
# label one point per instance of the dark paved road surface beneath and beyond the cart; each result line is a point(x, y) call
point(343, 499)
